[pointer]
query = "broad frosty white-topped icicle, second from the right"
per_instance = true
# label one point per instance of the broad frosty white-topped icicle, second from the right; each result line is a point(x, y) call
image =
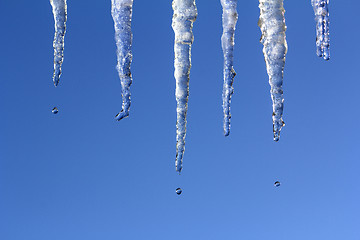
point(272, 24)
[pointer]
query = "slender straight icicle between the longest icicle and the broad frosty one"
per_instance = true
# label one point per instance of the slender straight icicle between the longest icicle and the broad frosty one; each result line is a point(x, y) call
point(229, 18)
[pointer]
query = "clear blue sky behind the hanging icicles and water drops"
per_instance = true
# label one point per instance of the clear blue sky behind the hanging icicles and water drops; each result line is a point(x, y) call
point(82, 175)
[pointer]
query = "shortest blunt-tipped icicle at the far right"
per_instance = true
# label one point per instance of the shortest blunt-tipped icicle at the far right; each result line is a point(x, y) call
point(321, 9)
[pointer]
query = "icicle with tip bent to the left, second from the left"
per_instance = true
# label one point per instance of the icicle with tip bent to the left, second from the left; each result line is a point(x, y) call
point(121, 11)
